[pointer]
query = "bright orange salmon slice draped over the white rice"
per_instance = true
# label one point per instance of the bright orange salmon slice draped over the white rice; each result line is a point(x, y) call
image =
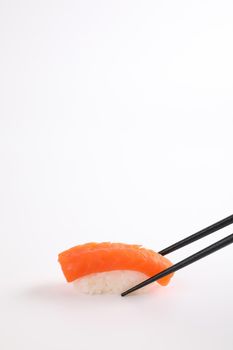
point(89, 258)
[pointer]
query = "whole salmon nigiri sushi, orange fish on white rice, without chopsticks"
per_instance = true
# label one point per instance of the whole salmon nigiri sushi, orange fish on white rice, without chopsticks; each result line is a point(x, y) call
point(106, 267)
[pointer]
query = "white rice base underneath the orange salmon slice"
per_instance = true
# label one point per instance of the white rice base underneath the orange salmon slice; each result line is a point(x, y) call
point(112, 282)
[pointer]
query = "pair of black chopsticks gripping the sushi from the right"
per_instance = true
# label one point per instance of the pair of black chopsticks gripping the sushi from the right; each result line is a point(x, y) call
point(191, 259)
